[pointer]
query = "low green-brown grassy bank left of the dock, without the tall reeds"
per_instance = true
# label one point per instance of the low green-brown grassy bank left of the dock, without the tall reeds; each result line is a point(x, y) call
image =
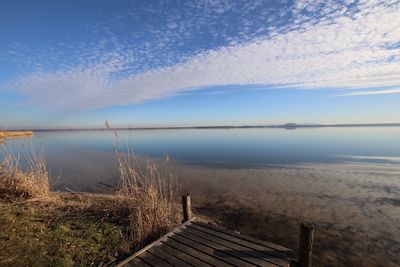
point(64, 230)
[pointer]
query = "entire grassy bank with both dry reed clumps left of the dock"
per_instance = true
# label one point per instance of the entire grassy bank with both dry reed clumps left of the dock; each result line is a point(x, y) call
point(42, 227)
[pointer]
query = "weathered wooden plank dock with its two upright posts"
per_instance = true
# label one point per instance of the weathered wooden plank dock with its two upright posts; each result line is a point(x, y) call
point(196, 243)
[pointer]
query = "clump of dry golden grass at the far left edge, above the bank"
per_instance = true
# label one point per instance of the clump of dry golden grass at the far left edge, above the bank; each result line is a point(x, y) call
point(31, 181)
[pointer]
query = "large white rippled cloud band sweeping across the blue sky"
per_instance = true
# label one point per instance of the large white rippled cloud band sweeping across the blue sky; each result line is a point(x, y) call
point(341, 49)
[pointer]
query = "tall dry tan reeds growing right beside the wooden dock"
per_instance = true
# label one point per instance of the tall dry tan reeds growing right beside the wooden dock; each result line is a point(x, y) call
point(151, 190)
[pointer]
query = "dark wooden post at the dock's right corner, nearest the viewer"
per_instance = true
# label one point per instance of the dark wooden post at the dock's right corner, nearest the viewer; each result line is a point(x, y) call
point(305, 244)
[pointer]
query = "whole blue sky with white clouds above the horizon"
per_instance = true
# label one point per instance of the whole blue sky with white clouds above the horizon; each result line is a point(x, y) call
point(77, 63)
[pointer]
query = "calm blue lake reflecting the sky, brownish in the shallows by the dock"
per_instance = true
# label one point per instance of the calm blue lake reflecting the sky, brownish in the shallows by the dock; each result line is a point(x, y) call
point(262, 182)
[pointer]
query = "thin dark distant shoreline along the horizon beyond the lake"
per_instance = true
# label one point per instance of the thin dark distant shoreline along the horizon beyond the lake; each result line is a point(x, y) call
point(288, 126)
